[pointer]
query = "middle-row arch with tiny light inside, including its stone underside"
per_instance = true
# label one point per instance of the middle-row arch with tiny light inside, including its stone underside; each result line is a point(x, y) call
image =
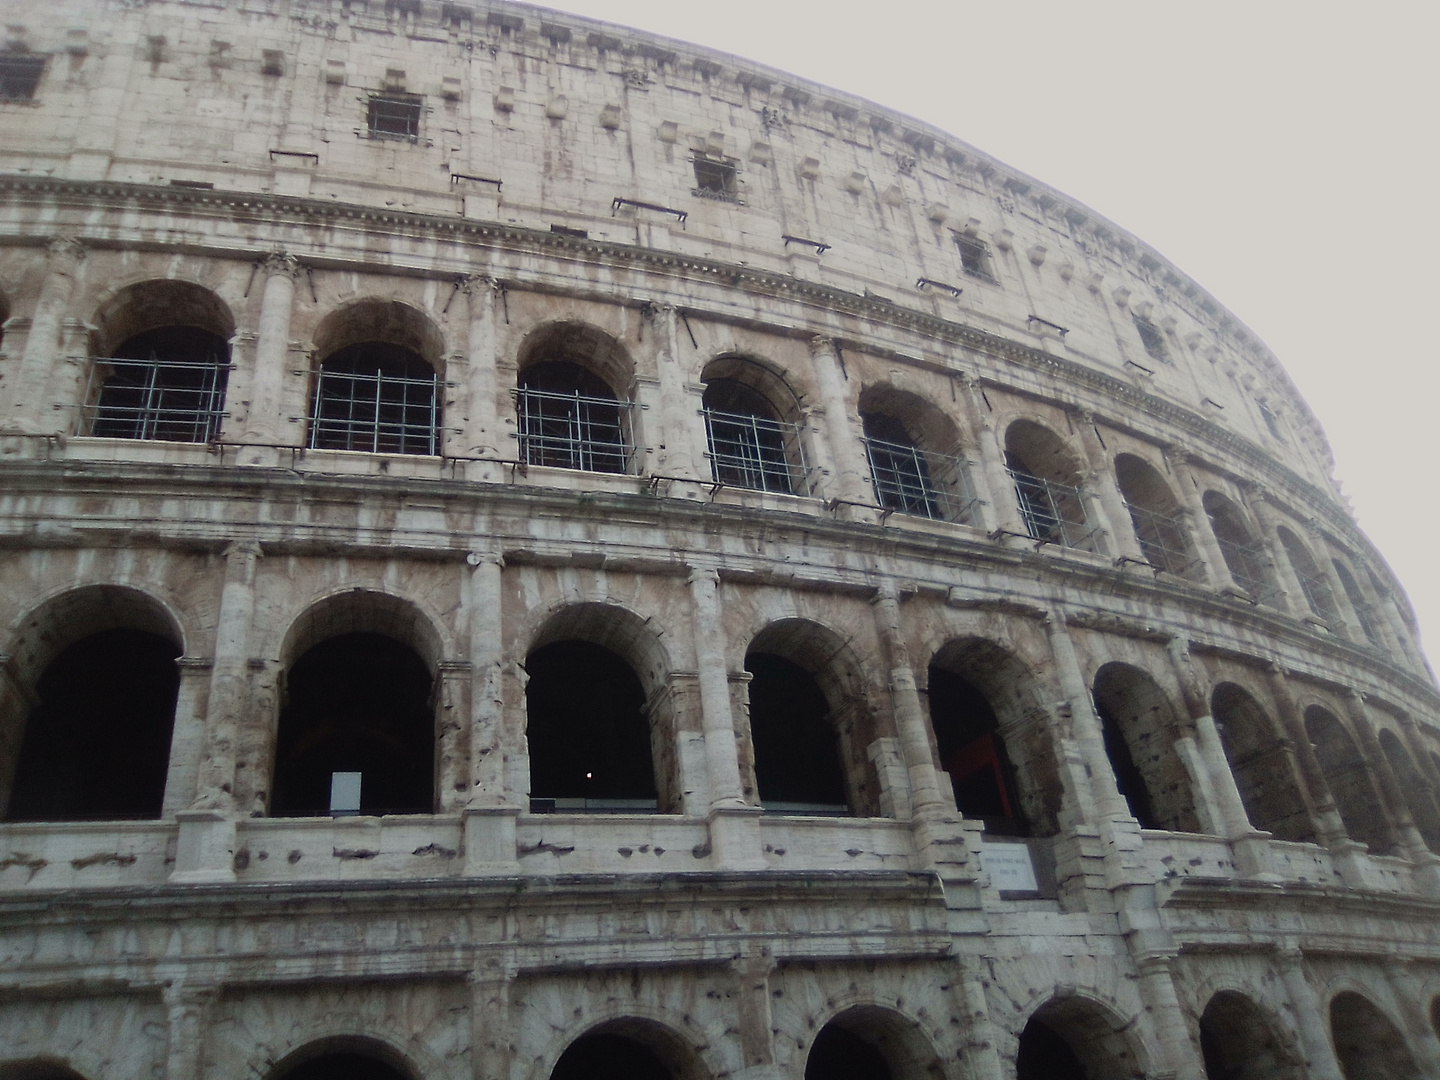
point(613, 744)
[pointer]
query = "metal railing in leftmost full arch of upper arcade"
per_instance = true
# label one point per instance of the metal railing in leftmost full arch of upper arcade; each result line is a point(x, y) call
point(176, 401)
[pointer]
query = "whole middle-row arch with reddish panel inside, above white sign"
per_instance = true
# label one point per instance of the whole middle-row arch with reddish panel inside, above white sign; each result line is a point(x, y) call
point(989, 712)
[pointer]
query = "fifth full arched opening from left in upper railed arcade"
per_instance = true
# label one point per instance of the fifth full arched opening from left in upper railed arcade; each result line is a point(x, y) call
point(915, 457)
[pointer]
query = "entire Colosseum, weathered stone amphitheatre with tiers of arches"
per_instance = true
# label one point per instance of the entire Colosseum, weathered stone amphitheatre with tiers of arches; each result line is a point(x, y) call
point(535, 552)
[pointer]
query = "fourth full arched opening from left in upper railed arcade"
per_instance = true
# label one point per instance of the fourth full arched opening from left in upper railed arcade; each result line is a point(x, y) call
point(754, 444)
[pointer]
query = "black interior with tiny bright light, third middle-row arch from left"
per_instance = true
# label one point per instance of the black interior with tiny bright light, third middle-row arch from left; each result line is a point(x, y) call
point(588, 729)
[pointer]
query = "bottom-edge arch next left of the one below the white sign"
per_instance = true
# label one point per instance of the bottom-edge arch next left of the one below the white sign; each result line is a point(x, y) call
point(891, 1043)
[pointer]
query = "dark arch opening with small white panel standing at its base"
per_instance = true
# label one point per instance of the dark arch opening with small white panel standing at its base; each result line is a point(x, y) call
point(356, 703)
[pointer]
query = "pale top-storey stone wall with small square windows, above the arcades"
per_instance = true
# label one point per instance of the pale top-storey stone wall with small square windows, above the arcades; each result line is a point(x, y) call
point(571, 114)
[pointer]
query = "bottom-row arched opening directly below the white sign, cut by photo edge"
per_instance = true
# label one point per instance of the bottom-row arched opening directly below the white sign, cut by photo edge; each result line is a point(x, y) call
point(1072, 1039)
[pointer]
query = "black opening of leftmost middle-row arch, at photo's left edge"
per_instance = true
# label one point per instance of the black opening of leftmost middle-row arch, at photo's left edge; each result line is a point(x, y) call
point(97, 742)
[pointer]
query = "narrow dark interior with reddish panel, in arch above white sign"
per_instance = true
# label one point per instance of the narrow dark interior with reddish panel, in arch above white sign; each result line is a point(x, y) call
point(967, 735)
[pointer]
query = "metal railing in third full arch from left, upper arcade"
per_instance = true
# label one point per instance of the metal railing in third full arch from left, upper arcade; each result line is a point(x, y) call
point(571, 431)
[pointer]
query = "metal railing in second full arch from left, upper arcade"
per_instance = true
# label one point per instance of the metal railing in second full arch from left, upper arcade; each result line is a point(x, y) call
point(381, 414)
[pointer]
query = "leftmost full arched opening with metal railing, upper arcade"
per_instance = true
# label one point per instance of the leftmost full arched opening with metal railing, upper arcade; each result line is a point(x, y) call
point(162, 365)
